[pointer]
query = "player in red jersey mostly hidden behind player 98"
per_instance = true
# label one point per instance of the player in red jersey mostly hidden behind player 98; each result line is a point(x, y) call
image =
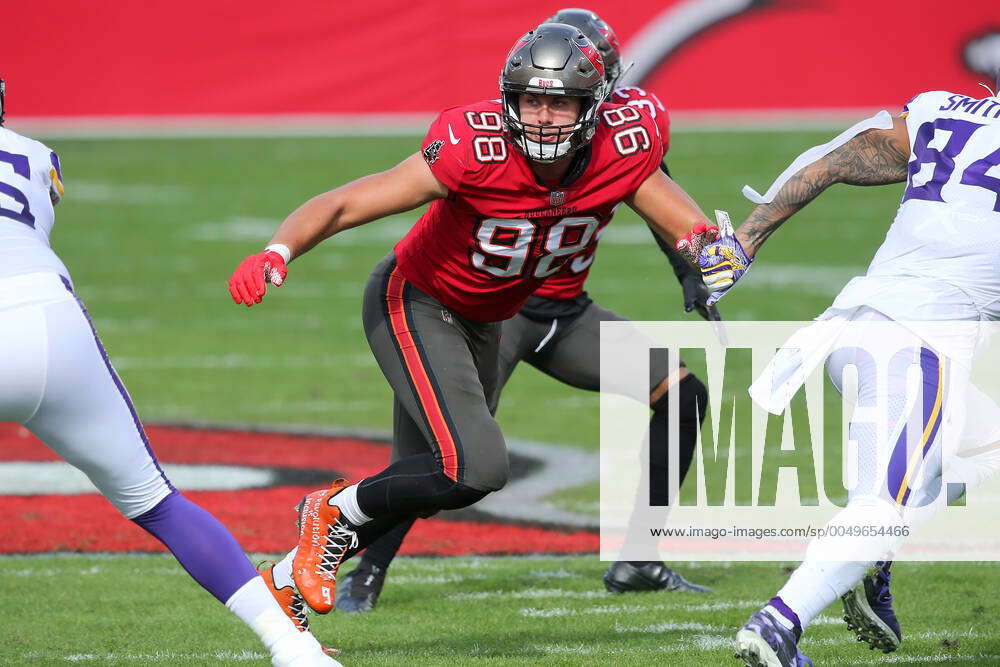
point(558, 332)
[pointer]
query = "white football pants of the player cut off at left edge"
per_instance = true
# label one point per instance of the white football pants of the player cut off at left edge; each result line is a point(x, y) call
point(57, 381)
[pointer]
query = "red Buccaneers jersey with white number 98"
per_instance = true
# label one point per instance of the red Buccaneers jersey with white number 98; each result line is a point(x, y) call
point(501, 233)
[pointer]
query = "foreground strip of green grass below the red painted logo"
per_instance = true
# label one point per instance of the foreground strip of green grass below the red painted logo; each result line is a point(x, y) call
point(493, 611)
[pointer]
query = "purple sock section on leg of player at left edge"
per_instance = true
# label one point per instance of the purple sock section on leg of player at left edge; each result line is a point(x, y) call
point(200, 543)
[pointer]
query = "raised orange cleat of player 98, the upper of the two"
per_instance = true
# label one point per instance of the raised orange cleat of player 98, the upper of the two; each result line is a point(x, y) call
point(324, 539)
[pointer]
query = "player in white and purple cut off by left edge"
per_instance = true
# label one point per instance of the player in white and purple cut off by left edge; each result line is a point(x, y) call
point(56, 380)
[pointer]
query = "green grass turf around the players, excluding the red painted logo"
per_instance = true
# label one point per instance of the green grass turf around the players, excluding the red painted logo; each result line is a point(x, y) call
point(151, 230)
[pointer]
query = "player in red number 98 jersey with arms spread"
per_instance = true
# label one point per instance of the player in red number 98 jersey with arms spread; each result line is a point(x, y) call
point(517, 189)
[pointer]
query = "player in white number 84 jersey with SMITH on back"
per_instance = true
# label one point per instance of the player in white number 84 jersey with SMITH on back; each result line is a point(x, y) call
point(938, 263)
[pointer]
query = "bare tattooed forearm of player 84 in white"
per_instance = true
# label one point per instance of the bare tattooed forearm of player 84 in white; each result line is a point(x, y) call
point(874, 157)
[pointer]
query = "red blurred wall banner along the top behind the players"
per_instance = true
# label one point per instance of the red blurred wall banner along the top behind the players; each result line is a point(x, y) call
point(114, 58)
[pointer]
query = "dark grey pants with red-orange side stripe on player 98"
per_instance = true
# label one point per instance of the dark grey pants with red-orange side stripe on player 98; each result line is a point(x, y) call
point(441, 367)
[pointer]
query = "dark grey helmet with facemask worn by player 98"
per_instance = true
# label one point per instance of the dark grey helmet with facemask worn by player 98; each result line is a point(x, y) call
point(553, 60)
